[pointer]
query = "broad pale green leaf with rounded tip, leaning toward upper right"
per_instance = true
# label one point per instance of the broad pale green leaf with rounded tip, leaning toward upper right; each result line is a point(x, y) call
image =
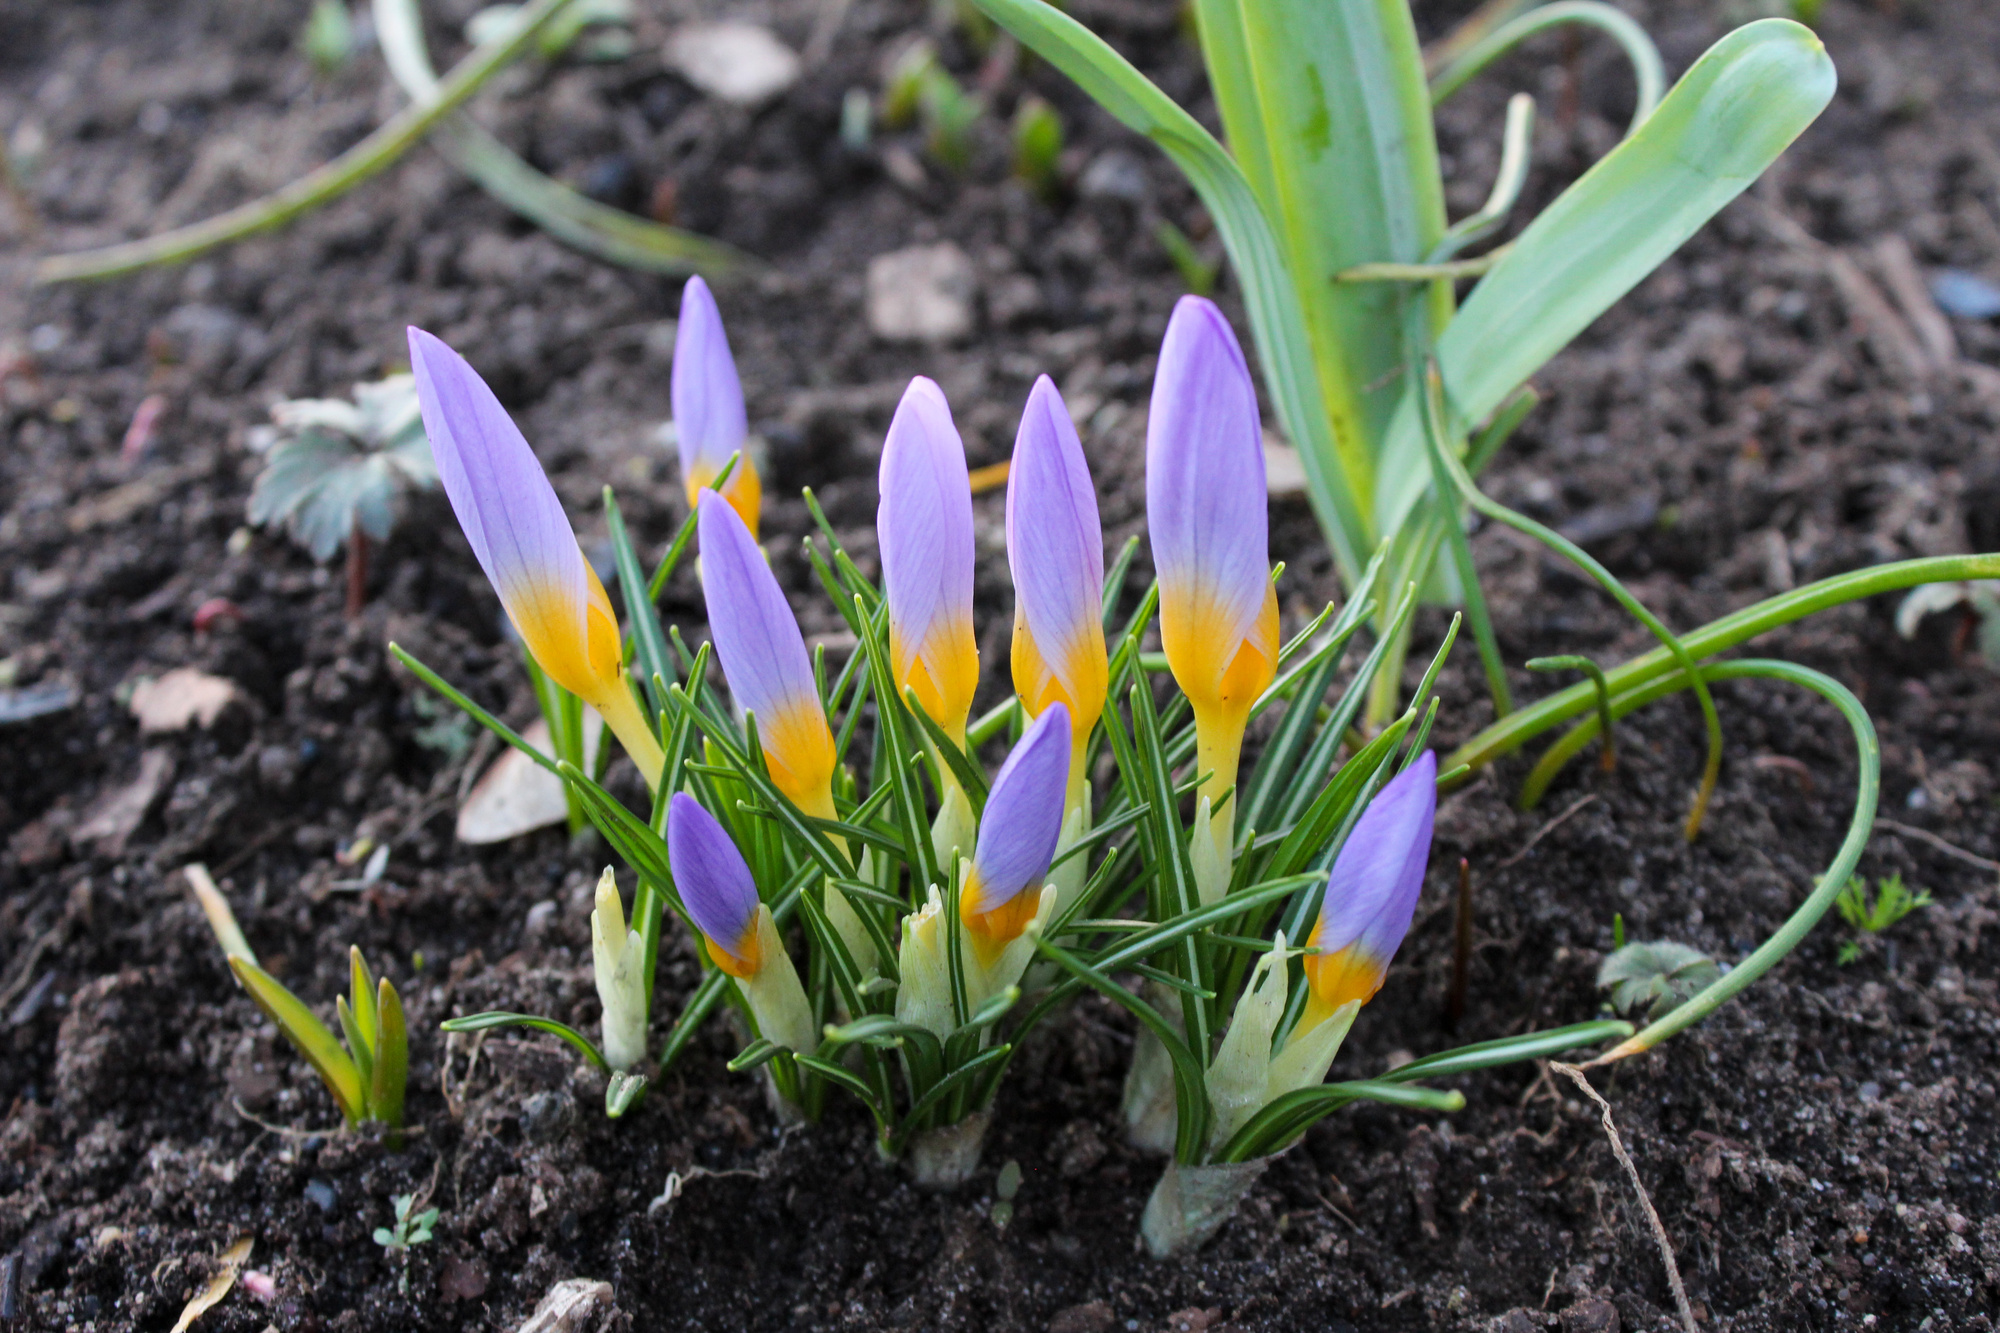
point(1717, 131)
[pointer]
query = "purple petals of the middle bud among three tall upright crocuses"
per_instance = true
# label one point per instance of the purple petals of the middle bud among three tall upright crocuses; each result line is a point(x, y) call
point(1053, 535)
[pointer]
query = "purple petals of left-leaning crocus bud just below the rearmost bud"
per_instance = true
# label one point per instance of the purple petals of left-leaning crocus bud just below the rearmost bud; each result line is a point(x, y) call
point(751, 623)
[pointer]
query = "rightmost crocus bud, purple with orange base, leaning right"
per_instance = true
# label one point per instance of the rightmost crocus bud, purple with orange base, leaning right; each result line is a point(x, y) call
point(1371, 894)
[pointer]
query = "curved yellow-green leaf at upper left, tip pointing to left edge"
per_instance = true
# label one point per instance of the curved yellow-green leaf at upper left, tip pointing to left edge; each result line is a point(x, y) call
point(321, 185)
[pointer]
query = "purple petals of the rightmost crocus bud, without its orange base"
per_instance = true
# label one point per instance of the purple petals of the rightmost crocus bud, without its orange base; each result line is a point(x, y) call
point(1379, 874)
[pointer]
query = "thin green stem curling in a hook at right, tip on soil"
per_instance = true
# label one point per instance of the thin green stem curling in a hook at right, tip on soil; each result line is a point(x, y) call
point(1809, 914)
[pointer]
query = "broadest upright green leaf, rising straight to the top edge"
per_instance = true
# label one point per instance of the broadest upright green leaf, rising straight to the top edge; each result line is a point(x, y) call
point(1329, 115)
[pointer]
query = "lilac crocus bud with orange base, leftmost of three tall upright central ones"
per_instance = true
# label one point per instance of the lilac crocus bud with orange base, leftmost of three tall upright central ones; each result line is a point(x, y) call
point(925, 525)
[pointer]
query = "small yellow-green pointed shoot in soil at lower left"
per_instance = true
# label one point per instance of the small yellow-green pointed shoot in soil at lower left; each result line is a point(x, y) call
point(367, 1078)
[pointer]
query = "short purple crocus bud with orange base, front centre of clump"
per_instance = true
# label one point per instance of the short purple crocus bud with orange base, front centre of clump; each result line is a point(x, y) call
point(1019, 830)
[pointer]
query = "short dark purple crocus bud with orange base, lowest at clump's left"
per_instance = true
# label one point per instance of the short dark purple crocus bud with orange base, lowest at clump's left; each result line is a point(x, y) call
point(743, 940)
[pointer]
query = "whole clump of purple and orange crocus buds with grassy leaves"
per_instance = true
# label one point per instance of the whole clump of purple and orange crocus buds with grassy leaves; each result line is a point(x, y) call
point(877, 924)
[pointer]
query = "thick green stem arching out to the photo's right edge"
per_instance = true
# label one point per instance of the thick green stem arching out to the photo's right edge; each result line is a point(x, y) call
point(1527, 724)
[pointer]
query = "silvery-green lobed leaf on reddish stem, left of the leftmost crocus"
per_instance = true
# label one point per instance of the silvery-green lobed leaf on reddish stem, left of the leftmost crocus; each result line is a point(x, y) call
point(337, 473)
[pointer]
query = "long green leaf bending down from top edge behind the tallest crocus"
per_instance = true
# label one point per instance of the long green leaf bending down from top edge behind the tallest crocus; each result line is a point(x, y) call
point(1277, 317)
